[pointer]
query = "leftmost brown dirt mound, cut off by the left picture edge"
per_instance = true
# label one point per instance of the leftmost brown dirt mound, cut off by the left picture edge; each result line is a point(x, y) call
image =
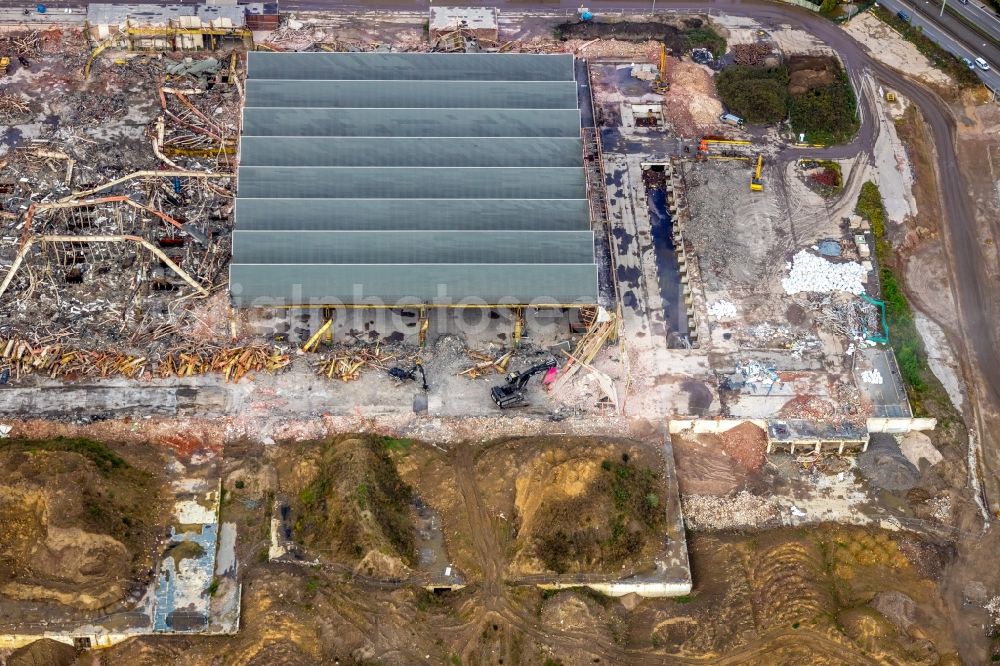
point(78, 522)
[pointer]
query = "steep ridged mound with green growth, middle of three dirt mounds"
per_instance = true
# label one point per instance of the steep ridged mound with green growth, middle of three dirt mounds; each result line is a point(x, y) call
point(348, 500)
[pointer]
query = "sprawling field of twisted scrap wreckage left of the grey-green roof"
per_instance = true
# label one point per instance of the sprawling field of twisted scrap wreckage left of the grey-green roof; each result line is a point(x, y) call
point(100, 244)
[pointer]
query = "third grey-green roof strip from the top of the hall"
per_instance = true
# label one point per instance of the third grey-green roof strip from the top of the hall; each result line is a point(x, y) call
point(261, 121)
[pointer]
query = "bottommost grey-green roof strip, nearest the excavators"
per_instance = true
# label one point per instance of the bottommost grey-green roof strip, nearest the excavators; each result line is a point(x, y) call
point(253, 285)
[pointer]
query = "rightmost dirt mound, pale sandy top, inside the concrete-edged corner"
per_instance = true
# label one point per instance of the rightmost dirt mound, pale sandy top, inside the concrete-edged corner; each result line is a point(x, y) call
point(577, 504)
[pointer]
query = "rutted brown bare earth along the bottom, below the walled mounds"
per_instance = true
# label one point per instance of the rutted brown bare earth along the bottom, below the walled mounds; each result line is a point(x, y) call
point(780, 597)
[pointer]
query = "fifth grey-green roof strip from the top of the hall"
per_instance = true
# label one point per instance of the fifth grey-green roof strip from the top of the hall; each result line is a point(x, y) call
point(407, 183)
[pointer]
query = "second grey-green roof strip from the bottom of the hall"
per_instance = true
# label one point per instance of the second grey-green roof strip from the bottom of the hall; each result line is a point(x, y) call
point(412, 247)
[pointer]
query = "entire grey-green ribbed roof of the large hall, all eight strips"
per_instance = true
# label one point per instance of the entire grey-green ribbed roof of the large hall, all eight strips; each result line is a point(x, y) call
point(403, 178)
